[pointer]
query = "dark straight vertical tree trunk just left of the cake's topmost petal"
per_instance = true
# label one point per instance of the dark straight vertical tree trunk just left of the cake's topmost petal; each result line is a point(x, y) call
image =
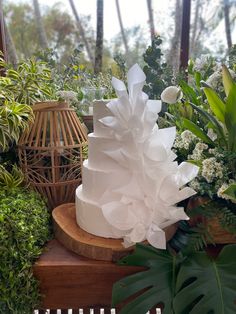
point(99, 39)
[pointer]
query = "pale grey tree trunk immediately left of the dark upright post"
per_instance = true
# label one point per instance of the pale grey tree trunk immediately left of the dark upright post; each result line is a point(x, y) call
point(173, 56)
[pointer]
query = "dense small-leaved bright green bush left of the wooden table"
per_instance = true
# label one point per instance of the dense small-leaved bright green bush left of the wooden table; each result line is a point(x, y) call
point(24, 228)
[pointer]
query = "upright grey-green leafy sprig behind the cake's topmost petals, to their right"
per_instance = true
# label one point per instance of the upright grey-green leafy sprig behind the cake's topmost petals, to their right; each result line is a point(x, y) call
point(158, 74)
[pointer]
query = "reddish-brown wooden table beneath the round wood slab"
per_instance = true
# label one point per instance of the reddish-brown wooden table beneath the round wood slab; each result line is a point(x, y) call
point(70, 281)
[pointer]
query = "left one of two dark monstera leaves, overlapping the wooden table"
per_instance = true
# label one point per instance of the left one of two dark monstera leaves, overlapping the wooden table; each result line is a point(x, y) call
point(156, 280)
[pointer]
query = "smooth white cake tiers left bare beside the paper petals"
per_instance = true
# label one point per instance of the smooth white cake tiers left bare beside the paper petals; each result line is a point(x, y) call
point(99, 172)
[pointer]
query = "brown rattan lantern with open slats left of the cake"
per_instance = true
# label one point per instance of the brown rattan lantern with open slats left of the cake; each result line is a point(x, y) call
point(51, 152)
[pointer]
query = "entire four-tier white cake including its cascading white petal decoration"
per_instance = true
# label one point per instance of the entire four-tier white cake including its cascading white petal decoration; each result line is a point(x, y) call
point(131, 182)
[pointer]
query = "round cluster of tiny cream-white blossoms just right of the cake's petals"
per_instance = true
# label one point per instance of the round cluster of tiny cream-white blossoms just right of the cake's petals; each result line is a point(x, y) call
point(212, 169)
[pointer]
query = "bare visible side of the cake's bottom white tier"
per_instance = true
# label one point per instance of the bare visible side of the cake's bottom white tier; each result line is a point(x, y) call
point(90, 218)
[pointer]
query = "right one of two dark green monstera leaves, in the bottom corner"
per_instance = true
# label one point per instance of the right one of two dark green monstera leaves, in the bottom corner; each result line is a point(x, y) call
point(205, 285)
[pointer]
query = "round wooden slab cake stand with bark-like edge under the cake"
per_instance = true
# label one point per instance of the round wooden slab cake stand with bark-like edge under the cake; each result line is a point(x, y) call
point(86, 244)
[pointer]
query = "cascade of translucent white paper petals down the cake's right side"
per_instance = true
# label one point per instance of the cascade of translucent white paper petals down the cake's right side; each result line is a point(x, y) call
point(147, 203)
